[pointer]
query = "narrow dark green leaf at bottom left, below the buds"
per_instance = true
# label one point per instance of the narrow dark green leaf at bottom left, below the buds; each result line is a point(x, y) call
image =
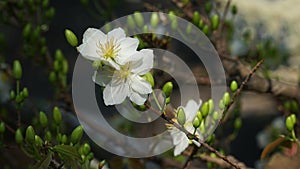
point(67, 151)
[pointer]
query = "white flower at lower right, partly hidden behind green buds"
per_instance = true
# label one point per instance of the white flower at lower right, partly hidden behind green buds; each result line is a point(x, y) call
point(180, 140)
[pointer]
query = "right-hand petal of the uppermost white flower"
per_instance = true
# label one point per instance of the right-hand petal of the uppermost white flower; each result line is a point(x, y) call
point(128, 47)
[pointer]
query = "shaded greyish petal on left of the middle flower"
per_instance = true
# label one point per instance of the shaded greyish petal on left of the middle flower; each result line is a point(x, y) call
point(103, 76)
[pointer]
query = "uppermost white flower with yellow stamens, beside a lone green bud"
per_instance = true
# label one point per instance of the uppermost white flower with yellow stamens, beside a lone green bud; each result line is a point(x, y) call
point(114, 48)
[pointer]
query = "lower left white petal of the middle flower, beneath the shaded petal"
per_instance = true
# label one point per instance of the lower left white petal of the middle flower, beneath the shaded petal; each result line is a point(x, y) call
point(115, 92)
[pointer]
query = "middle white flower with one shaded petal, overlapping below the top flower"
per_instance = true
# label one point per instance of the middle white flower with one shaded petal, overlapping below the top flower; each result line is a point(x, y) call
point(126, 81)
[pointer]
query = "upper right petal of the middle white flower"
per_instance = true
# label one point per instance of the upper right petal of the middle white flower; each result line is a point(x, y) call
point(144, 64)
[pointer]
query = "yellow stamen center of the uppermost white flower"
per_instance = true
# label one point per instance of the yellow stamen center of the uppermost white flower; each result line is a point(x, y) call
point(109, 49)
